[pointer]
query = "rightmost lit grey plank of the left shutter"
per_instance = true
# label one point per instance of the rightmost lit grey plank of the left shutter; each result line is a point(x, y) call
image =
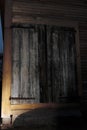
point(33, 68)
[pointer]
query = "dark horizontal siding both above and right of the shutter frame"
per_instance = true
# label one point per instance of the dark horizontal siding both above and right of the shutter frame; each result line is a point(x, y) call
point(74, 10)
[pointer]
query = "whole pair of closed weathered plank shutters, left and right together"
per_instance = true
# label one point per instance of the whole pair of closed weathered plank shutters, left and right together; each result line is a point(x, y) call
point(43, 64)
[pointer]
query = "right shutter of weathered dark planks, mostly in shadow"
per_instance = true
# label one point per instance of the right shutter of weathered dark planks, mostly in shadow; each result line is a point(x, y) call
point(61, 64)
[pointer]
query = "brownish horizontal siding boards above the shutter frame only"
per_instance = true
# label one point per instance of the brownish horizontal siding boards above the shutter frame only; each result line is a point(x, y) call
point(69, 10)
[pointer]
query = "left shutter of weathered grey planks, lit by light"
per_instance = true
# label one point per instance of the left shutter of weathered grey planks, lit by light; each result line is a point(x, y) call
point(25, 74)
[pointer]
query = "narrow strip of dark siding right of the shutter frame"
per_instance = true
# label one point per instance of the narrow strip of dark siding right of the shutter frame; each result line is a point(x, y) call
point(83, 51)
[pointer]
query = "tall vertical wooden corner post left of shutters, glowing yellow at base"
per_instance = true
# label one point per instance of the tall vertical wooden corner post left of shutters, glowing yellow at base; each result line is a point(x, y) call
point(5, 112)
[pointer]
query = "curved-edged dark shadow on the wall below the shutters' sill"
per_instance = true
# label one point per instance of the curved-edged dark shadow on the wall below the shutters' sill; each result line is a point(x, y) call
point(50, 117)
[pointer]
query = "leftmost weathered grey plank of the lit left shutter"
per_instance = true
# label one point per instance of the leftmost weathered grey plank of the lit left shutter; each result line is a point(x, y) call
point(15, 65)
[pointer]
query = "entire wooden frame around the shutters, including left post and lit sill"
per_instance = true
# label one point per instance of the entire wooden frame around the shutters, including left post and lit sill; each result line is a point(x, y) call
point(7, 108)
